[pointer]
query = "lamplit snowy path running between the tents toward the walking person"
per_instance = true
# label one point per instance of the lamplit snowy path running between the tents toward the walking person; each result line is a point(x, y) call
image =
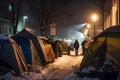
point(63, 67)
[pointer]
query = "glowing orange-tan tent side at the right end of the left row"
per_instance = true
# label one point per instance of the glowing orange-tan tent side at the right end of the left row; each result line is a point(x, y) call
point(47, 49)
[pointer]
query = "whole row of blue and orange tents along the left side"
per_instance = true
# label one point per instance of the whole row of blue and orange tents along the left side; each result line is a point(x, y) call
point(25, 48)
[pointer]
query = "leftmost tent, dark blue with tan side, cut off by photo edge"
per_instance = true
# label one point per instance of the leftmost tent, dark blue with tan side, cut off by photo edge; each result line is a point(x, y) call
point(11, 55)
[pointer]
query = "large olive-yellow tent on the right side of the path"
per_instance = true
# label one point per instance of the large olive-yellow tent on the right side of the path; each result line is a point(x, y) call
point(102, 58)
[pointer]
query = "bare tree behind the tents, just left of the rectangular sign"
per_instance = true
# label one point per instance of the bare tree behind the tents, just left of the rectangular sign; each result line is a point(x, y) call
point(42, 12)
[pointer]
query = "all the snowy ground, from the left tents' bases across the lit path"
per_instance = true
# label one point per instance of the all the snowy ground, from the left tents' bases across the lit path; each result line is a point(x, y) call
point(62, 69)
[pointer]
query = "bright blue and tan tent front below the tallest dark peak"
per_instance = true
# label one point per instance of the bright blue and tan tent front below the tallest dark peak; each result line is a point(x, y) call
point(29, 51)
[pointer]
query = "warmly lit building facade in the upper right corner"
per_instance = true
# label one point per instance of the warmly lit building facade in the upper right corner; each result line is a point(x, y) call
point(111, 13)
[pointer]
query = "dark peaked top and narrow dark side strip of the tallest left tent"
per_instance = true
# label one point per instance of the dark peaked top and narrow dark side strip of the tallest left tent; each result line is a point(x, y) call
point(30, 34)
